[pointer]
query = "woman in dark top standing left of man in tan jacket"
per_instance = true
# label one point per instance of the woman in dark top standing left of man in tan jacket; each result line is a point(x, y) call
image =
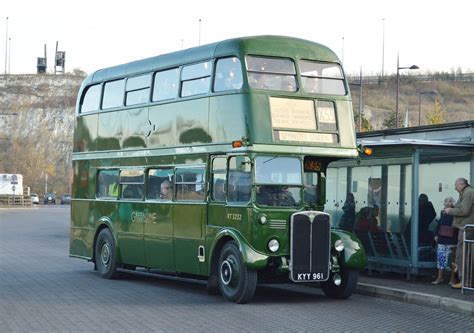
point(446, 238)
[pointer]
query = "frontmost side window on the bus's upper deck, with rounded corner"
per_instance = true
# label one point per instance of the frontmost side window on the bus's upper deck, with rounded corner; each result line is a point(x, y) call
point(228, 74)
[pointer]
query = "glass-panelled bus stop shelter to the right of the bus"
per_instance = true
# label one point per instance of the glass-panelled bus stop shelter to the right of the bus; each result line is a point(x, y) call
point(386, 189)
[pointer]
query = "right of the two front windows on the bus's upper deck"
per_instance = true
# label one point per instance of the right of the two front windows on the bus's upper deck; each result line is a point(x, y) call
point(322, 78)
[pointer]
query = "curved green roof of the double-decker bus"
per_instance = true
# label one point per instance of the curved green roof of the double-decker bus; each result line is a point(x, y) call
point(264, 45)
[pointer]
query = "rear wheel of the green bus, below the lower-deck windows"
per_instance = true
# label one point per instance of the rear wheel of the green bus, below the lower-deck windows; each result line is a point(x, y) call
point(105, 255)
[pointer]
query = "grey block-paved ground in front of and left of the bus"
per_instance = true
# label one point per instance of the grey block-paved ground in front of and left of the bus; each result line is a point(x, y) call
point(43, 290)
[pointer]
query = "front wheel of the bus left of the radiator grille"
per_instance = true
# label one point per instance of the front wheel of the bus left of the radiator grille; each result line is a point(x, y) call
point(236, 282)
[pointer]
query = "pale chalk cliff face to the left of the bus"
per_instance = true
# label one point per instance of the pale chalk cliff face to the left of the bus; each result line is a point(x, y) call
point(39, 110)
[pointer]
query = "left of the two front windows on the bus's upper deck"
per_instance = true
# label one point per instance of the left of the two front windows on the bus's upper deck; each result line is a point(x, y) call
point(271, 73)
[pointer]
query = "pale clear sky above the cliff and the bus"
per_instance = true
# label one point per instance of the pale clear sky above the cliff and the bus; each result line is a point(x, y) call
point(435, 35)
